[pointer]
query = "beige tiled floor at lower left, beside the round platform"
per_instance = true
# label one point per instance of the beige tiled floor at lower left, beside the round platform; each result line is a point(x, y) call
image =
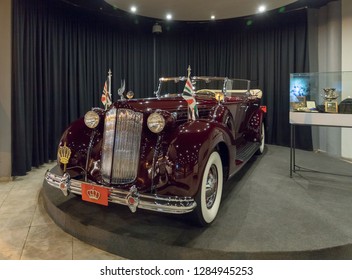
point(26, 230)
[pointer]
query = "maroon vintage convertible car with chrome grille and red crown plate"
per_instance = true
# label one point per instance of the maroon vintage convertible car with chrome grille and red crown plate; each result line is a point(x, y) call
point(153, 154)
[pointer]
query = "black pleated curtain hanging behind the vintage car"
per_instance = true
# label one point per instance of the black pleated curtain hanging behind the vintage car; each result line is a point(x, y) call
point(61, 56)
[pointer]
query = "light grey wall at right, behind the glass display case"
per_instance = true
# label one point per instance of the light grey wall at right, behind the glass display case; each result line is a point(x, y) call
point(330, 34)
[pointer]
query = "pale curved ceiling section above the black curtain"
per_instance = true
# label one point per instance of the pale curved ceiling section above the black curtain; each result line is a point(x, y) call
point(197, 10)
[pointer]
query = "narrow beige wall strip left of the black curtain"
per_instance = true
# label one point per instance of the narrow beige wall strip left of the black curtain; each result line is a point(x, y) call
point(5, 90)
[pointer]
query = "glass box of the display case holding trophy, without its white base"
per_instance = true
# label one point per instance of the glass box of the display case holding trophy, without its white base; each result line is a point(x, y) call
point(322, 92)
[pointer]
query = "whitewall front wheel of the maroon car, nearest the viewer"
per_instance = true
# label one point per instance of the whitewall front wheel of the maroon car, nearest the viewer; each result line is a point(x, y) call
point(209, 195)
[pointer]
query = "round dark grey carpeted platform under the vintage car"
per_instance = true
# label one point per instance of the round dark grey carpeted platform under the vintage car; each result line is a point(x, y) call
point(265, 214)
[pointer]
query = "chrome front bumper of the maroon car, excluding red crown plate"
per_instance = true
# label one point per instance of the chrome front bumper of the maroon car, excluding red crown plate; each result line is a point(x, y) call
point(132, 198)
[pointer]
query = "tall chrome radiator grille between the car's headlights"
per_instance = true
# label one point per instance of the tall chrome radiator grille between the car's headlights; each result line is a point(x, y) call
point(121, 146)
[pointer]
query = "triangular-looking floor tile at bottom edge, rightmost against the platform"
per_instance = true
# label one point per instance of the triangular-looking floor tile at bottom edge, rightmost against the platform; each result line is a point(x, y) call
point(84, 251)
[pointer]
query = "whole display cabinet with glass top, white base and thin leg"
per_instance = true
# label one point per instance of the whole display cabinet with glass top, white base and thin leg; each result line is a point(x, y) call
point(320, 99)
